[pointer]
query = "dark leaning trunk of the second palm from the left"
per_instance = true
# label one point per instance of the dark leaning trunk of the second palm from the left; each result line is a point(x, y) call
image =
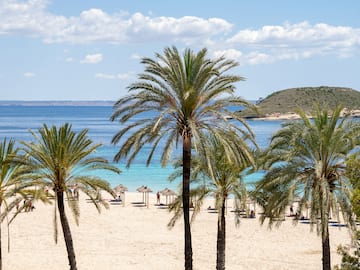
point(66, 231)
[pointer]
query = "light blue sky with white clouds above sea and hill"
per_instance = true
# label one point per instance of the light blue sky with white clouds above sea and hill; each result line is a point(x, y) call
point(91, 49)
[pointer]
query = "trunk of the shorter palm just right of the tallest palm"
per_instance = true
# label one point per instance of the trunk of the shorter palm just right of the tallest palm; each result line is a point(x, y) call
point(220, 259)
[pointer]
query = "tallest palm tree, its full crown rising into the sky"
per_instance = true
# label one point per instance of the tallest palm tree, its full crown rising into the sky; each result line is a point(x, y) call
point(187, 96)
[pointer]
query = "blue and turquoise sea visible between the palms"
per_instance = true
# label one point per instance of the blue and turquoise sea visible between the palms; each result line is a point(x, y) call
point(18, 118)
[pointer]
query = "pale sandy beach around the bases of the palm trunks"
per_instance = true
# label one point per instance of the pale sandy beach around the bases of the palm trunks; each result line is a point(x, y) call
point(133, 237)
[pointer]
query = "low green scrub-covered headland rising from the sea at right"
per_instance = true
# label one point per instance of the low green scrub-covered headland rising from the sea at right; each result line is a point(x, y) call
point(287, 101)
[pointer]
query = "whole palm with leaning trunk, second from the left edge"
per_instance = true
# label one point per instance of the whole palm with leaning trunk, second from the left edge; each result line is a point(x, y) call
point(59, 157)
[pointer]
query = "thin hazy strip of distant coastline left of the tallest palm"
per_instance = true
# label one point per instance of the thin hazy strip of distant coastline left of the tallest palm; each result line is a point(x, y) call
point(56, 103)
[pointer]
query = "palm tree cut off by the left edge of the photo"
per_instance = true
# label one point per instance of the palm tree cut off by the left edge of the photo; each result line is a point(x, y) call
point(12, 182)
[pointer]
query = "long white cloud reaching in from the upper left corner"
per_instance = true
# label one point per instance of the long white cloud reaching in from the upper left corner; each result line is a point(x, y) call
point(31, 18)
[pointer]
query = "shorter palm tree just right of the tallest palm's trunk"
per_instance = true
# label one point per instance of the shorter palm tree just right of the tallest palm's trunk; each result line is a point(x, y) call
point(214, 174)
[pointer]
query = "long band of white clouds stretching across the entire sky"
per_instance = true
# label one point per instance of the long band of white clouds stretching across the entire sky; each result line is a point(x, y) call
point(267, 44)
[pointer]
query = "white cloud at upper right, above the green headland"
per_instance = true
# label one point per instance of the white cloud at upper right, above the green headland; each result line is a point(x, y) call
point(296, 41)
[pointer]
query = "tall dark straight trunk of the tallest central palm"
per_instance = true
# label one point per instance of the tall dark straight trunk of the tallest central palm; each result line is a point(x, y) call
point(186, 200)
